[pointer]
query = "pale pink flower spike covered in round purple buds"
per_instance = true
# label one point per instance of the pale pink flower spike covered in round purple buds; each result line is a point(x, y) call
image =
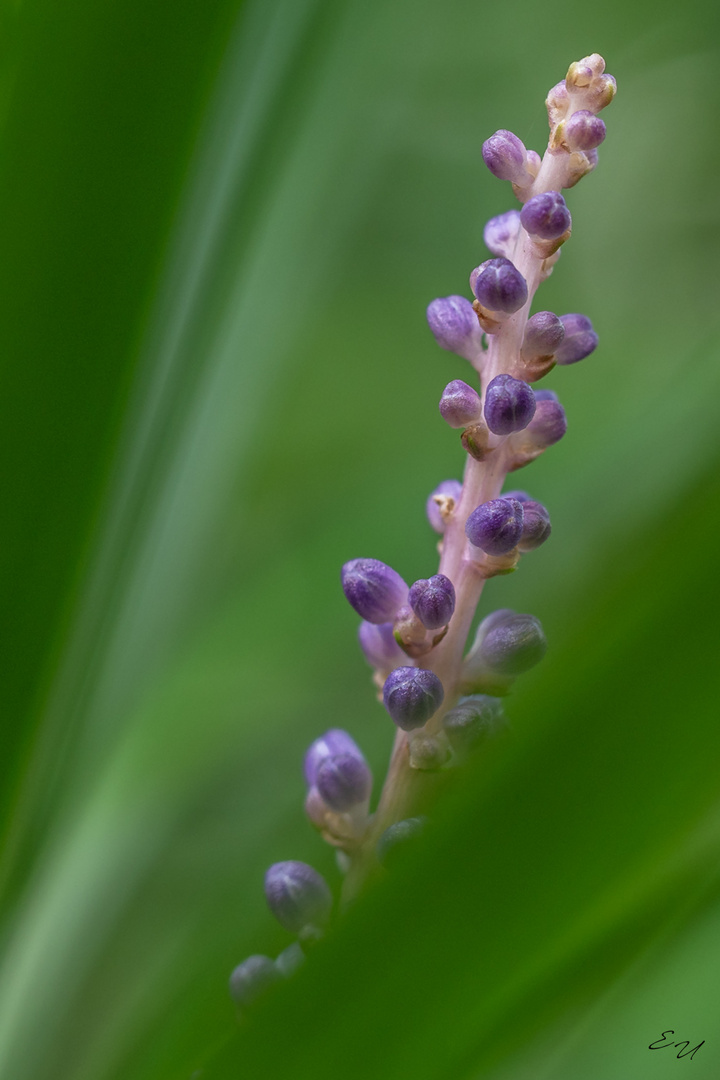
point(444, 699)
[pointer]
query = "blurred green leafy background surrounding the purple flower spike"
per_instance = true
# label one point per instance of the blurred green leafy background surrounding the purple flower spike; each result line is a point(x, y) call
point(221, 226)
